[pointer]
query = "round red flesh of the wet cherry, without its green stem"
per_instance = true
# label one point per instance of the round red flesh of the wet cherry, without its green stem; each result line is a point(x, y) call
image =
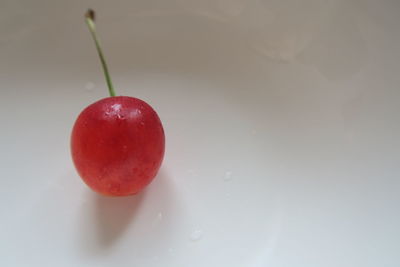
point(117, 145)
